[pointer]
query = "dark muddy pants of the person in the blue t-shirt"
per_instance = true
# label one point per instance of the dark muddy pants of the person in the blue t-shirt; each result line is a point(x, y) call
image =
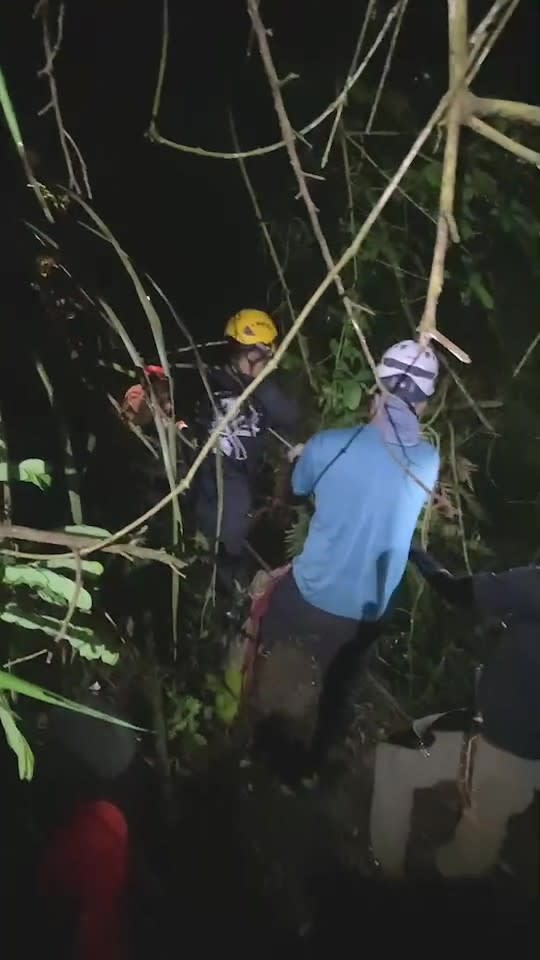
point(307, 676)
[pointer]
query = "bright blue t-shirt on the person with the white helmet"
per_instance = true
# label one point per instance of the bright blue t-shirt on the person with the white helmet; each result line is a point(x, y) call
point(366, 510)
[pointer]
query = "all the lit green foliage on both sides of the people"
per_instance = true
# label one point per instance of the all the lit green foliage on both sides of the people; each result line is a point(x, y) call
point(91, 615)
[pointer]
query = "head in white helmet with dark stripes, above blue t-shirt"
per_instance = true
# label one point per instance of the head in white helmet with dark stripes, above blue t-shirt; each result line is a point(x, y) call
point(409, 372)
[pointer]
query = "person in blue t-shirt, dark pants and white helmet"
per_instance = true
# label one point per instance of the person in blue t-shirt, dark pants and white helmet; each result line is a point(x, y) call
point(370, 484)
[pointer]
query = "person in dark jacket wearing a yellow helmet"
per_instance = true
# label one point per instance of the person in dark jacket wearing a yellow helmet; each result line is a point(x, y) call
point(252, 335)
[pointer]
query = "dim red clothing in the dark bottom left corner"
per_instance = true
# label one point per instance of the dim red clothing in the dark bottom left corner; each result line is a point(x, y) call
point(87, 860)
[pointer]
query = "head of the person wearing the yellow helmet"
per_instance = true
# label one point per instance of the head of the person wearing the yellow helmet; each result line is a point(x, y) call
point(252, 335)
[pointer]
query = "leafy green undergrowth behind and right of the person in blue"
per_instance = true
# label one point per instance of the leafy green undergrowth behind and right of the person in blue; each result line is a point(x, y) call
point(493, 267)
